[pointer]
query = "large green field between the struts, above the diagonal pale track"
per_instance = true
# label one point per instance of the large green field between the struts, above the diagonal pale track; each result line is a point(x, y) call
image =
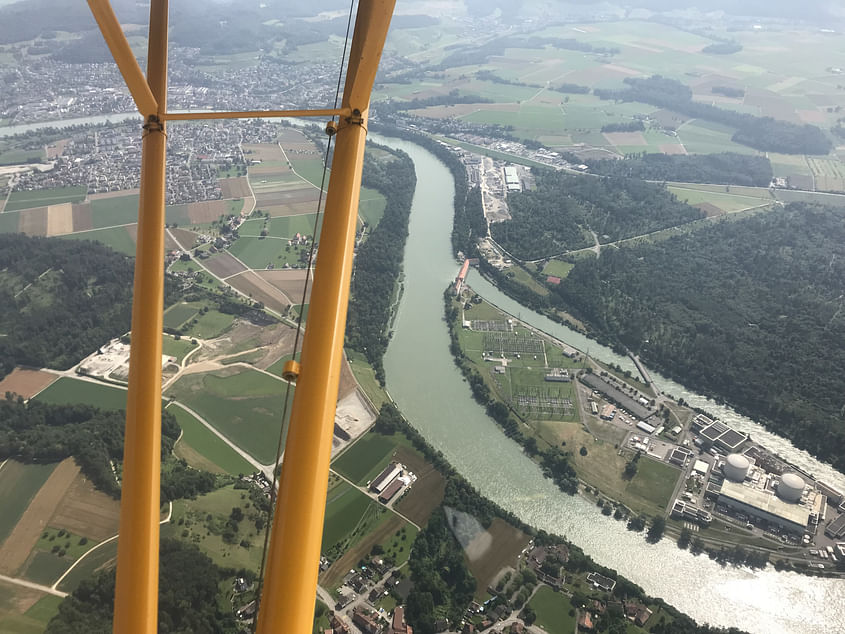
point(243, 405)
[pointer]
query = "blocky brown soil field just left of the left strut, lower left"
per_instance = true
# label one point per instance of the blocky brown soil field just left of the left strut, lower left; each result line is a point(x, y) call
point(86, 511)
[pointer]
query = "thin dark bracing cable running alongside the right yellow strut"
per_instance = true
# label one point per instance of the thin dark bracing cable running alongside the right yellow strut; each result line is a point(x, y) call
point(297, 336)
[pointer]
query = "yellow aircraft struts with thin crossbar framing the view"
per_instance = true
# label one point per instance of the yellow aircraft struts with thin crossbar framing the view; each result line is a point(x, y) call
point(287, 602)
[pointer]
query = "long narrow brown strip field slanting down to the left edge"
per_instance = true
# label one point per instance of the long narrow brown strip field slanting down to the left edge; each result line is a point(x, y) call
point(37, 516)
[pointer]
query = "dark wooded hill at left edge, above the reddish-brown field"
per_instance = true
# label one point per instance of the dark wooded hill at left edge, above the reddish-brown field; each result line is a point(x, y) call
point(59, 300)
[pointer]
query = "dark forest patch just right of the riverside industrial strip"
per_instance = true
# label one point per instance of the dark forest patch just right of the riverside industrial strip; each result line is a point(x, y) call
point(557, 215)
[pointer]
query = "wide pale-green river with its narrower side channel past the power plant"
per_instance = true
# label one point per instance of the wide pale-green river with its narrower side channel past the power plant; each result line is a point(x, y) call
point(430, 391)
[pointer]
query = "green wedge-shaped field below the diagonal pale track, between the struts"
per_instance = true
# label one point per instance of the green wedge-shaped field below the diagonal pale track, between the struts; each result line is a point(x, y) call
point(203, 450)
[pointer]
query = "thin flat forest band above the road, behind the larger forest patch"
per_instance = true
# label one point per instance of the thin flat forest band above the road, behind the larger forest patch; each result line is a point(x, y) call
point(726, 168)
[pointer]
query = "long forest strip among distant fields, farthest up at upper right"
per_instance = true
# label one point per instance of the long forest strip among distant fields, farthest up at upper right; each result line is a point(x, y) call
point(761, 133)
